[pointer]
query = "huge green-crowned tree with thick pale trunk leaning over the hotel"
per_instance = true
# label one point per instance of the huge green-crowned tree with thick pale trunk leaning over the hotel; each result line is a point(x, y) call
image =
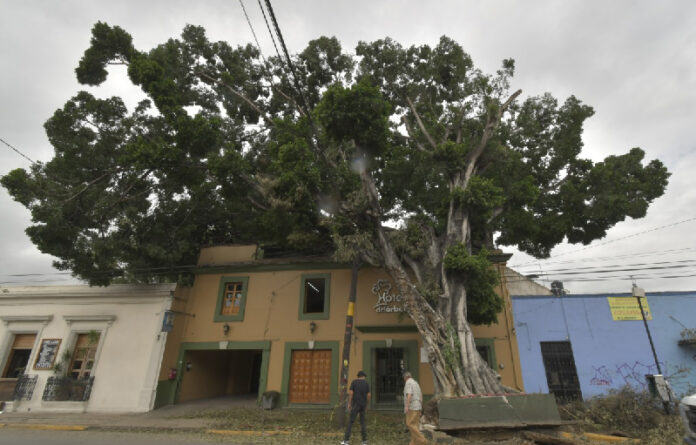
point(409, 158)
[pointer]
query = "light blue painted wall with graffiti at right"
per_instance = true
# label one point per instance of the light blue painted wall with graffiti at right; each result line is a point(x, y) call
point(608, 354)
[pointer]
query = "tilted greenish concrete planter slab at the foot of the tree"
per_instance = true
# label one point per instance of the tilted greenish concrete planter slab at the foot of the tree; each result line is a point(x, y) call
point(511, 411)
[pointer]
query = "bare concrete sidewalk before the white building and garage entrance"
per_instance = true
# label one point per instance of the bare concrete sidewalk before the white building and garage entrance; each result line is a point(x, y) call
point(182, 417)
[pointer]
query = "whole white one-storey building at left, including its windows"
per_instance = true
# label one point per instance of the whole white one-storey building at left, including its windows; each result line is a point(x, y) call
point(81, 348)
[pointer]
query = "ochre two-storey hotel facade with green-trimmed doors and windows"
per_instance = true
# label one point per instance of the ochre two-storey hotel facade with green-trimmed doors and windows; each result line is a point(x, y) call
point(250, 325)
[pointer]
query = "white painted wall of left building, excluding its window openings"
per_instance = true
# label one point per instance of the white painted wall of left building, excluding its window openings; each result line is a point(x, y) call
point(130, 348)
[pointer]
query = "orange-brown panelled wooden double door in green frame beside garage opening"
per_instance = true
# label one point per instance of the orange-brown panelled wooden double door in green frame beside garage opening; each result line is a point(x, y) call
point(310, 376)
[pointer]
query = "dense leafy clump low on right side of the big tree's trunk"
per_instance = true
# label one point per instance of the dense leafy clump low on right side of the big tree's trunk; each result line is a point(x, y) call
point(480, 280)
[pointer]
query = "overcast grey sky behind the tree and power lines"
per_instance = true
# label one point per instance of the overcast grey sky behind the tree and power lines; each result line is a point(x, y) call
point(633, 61)
